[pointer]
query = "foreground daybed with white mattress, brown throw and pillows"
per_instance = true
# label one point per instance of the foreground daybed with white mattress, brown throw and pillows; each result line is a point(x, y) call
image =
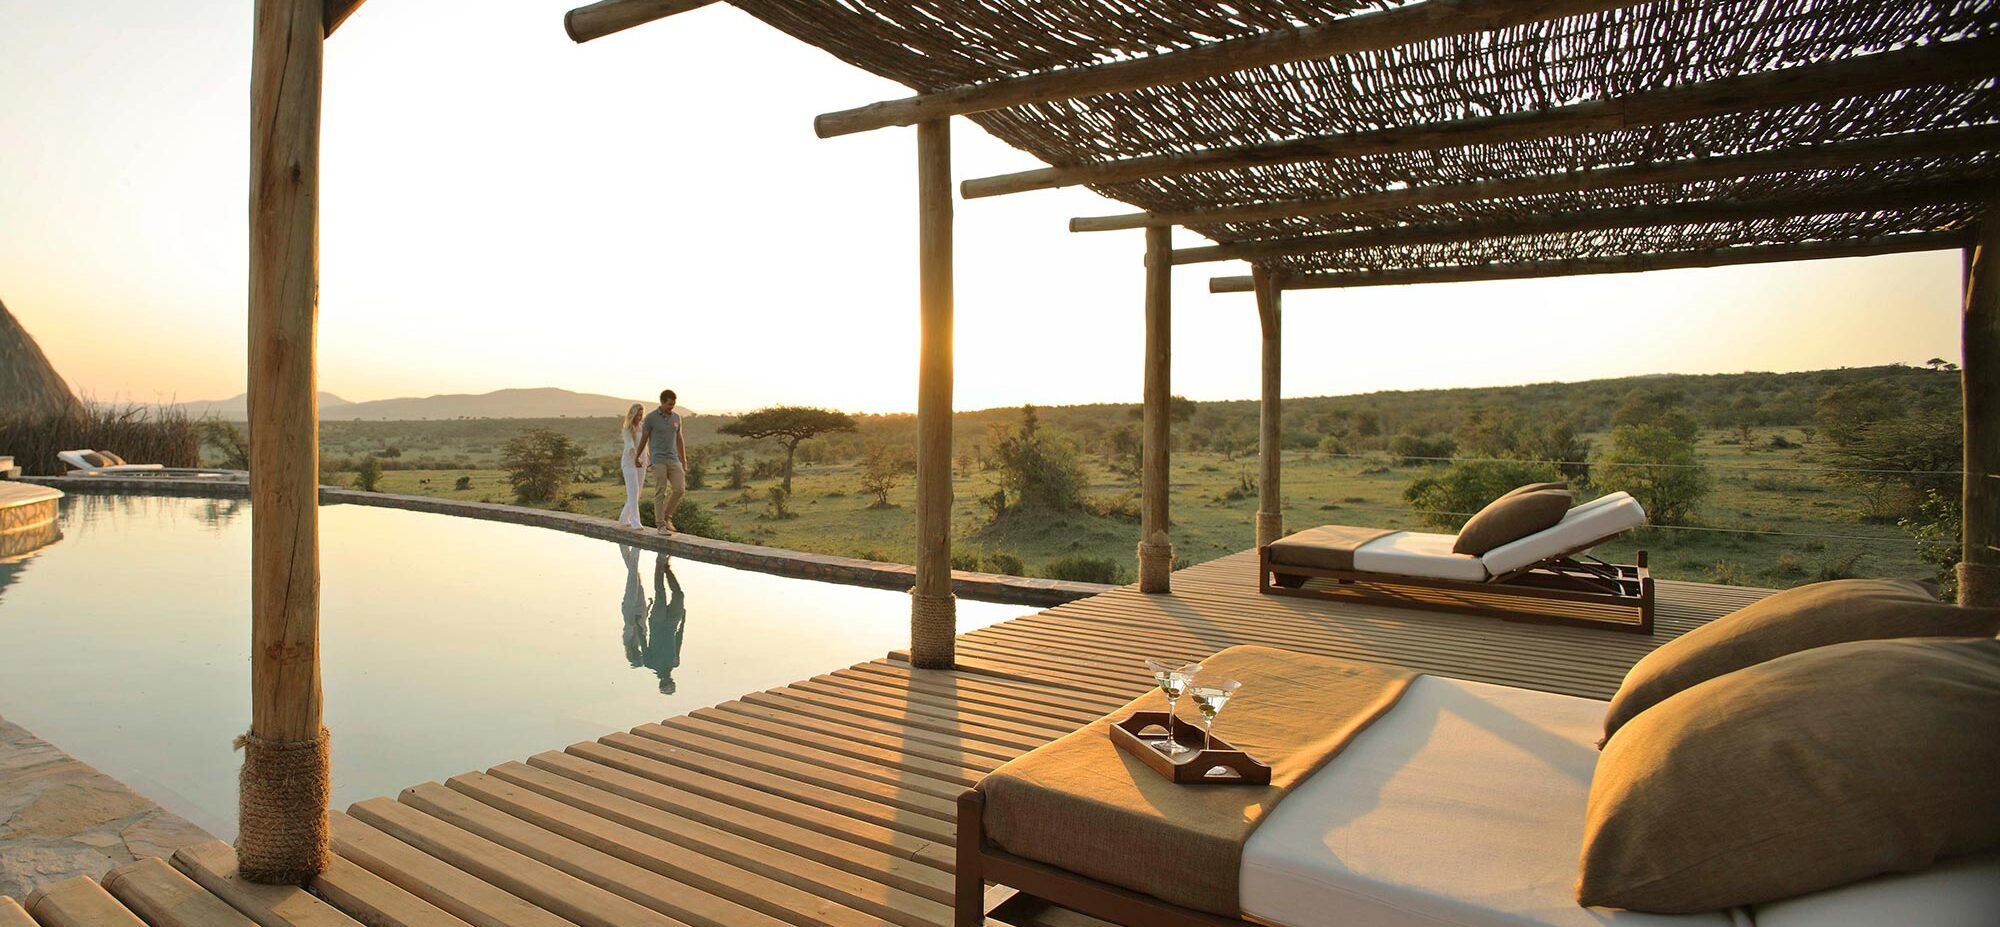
point(1469, 804)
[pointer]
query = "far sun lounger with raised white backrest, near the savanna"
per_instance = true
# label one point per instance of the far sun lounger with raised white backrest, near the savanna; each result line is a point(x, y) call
point(1547, 576)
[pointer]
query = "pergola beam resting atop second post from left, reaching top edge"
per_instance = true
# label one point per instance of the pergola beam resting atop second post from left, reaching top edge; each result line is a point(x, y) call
point(1367, 33)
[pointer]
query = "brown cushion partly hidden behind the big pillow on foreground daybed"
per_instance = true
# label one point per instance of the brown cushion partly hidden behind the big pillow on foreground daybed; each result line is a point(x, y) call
point(1789, 622)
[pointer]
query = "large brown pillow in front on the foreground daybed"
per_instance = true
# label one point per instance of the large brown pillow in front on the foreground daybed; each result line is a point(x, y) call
point(1799, 774)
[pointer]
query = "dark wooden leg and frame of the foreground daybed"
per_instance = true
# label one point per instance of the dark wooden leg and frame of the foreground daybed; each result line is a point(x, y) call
point(981, 864)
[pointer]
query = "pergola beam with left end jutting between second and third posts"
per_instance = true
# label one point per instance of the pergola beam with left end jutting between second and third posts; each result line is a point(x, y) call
point(1789, 87)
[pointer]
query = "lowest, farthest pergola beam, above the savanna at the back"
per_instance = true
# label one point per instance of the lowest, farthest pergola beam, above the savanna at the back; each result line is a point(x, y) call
point(1623, 265)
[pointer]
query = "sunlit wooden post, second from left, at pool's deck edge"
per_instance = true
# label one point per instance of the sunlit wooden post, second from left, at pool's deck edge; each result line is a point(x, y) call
point(933, 610)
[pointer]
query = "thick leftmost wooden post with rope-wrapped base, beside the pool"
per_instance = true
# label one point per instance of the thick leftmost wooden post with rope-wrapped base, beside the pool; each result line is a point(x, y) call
point(285, 776)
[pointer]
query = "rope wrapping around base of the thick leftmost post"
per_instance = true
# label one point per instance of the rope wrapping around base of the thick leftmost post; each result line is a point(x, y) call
point(285, 792)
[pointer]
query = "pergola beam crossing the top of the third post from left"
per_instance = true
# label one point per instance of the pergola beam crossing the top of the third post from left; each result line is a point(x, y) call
point(1817, 157)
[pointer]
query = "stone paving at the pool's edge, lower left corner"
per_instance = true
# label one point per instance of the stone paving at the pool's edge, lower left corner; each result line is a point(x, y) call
point(61, 818)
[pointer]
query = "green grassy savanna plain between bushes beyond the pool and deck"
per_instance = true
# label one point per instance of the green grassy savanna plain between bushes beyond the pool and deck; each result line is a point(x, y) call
point(1811, 526)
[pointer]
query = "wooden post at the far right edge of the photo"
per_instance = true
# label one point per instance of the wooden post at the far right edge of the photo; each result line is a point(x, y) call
point(1979, 570)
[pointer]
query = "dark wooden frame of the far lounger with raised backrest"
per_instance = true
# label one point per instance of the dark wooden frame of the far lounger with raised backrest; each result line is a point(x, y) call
point(1569, 578)
